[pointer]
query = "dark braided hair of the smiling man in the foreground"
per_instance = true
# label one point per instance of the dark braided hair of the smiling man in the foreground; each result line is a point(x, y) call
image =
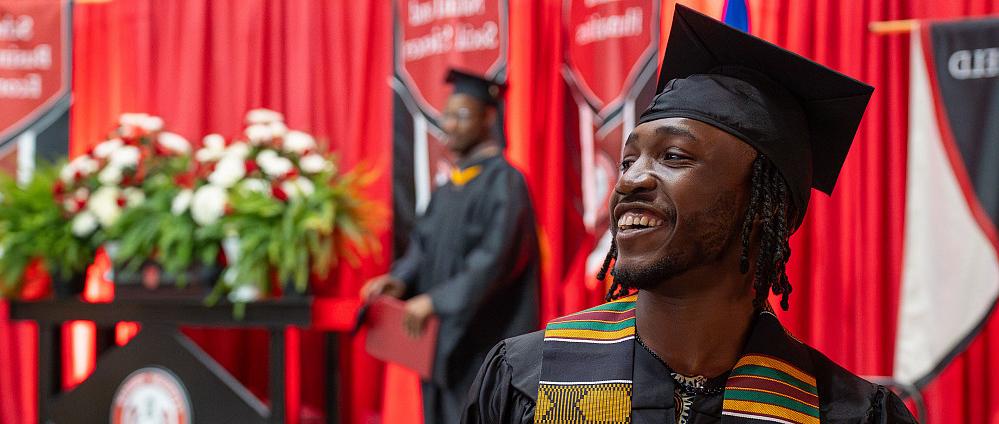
point(770, 206)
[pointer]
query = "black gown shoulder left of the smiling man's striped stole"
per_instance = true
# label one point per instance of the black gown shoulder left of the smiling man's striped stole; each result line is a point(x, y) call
point(506, 387)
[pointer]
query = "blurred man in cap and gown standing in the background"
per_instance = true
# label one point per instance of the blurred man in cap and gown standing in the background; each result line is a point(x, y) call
point(473, 256)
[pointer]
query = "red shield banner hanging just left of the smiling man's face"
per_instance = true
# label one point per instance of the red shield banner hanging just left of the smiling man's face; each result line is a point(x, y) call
point(610, 67)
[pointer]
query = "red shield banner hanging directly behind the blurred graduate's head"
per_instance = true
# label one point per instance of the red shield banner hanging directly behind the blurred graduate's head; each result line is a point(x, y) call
point(432, 36)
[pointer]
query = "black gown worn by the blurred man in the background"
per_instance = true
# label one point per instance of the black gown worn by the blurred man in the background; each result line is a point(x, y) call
point(475, 252)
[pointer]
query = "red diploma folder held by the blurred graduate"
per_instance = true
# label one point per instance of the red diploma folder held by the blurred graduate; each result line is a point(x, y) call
point(387, 339)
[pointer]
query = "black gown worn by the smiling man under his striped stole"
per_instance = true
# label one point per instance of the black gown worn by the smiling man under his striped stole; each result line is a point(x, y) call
point(506, 388)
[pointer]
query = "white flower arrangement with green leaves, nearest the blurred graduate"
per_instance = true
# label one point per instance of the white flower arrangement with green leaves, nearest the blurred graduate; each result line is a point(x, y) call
point(284, 209)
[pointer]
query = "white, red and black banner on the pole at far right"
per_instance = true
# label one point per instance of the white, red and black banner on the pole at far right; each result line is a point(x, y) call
point(950, 266)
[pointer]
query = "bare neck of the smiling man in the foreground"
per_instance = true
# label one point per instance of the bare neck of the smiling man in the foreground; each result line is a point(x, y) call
point(697, 322)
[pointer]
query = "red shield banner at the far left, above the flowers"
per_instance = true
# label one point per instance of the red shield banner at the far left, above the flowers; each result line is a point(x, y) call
point(34, 82)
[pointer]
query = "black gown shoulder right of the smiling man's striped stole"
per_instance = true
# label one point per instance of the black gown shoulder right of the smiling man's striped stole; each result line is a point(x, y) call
point(848, 398)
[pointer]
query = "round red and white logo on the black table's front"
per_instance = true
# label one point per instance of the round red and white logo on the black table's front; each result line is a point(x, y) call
point(151, 395)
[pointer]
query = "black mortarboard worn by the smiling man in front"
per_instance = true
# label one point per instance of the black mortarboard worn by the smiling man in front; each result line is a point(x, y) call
point(800, 114)
